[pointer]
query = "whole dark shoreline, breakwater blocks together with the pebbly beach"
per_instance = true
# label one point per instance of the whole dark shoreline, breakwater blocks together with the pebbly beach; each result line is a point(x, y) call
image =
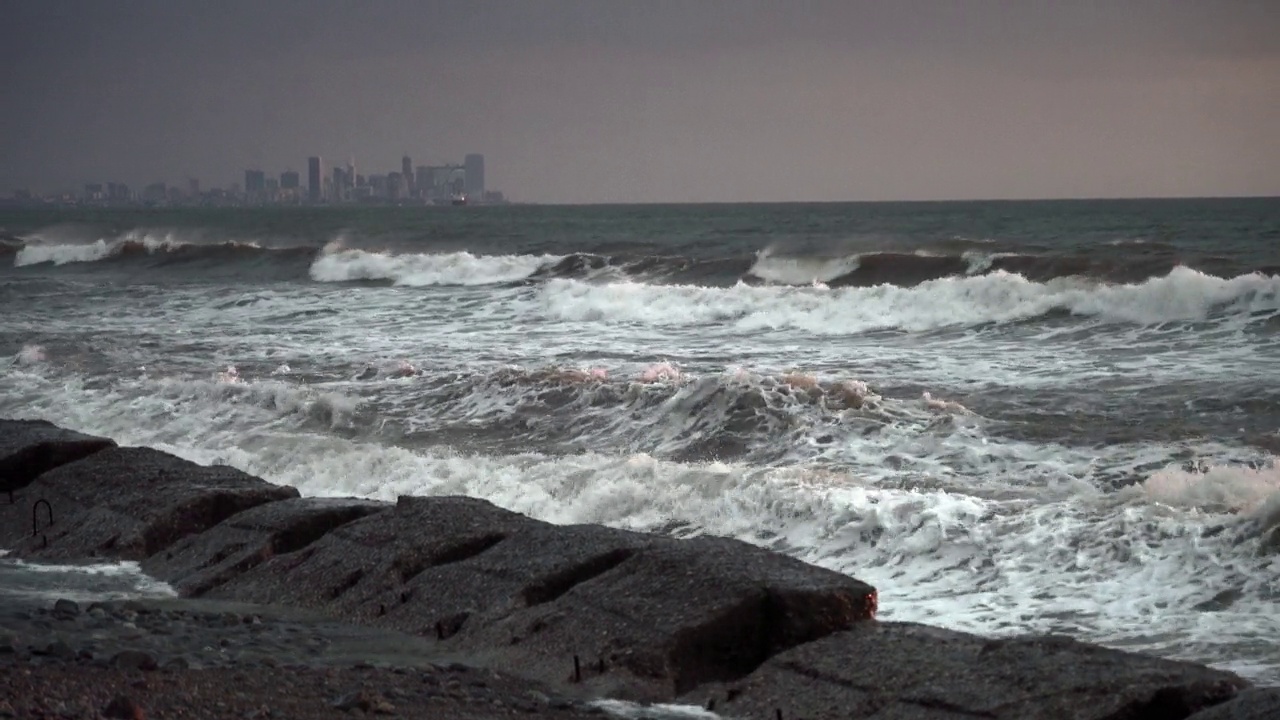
point(454, 608)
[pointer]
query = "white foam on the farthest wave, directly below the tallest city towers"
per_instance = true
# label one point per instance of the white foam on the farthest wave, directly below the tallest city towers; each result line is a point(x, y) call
point(337, 265)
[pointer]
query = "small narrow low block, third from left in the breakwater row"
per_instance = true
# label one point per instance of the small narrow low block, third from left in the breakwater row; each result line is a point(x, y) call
point(200, 563)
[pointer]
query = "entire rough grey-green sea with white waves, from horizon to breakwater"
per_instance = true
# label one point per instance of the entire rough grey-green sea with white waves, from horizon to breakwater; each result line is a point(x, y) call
point(1008, 417)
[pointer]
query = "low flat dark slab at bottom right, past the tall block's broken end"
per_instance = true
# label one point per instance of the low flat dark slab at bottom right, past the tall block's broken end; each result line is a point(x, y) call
point(890, 671)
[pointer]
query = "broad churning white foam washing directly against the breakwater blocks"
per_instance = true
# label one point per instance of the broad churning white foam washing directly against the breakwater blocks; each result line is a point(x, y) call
point(971, 534)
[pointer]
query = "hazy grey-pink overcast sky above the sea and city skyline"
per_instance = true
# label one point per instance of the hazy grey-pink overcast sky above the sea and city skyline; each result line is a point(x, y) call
point(656, 101)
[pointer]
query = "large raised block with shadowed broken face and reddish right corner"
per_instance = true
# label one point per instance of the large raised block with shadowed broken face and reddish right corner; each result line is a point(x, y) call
point(671, 616)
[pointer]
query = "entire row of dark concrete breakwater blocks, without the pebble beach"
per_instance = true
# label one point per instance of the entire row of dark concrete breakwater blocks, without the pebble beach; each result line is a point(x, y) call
point(591, 610)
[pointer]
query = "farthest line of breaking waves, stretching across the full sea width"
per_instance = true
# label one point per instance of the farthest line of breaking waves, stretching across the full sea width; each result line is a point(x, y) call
point(420, 262)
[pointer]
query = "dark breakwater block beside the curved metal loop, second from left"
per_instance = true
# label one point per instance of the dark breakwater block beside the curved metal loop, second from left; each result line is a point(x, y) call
point(131, 503)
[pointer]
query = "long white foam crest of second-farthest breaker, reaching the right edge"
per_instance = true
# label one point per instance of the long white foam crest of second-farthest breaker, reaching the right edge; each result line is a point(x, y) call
point(998, 298)
